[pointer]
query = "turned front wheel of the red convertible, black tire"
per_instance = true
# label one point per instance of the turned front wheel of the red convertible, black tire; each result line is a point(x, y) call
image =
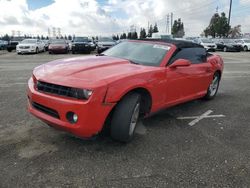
point(125, 118)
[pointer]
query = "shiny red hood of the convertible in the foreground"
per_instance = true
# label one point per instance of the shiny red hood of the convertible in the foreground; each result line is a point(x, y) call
point(89, 72)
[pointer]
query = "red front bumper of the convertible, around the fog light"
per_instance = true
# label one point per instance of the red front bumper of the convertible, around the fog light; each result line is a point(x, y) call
point(91, 114)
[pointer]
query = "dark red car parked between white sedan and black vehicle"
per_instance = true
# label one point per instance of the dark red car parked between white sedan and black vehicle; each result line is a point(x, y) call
point(58, 46)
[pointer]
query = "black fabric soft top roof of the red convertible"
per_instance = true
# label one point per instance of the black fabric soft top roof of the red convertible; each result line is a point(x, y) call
point(178, 43)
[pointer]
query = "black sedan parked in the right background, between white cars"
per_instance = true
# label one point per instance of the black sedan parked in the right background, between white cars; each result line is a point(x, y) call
point(227, 45)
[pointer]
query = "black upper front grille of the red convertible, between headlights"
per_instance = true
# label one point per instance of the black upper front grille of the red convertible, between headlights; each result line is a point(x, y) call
point(59, 90)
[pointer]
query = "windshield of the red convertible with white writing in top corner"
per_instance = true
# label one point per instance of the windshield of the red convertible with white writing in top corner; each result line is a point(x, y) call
point(139, 52)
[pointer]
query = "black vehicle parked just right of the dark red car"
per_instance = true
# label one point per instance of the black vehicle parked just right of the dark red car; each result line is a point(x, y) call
point(81, 45)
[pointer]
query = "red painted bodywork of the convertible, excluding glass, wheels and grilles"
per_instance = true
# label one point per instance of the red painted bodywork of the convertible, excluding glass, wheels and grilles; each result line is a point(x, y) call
point(110, 79)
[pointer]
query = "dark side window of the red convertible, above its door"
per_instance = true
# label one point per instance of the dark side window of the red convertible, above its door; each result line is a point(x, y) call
point(195, 55)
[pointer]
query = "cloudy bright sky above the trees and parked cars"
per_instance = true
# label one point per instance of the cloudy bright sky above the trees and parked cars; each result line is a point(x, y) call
point(107, 17)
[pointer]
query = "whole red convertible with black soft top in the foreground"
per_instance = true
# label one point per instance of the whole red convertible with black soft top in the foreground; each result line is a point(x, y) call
point(129, 81)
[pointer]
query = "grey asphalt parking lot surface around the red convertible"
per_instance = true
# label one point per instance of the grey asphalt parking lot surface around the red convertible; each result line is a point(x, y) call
point(168, 150)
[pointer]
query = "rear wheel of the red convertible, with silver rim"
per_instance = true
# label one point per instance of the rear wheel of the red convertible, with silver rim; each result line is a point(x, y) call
point(213, 87)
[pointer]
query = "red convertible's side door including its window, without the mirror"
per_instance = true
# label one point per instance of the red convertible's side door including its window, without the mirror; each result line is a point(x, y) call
point(186, 82)
